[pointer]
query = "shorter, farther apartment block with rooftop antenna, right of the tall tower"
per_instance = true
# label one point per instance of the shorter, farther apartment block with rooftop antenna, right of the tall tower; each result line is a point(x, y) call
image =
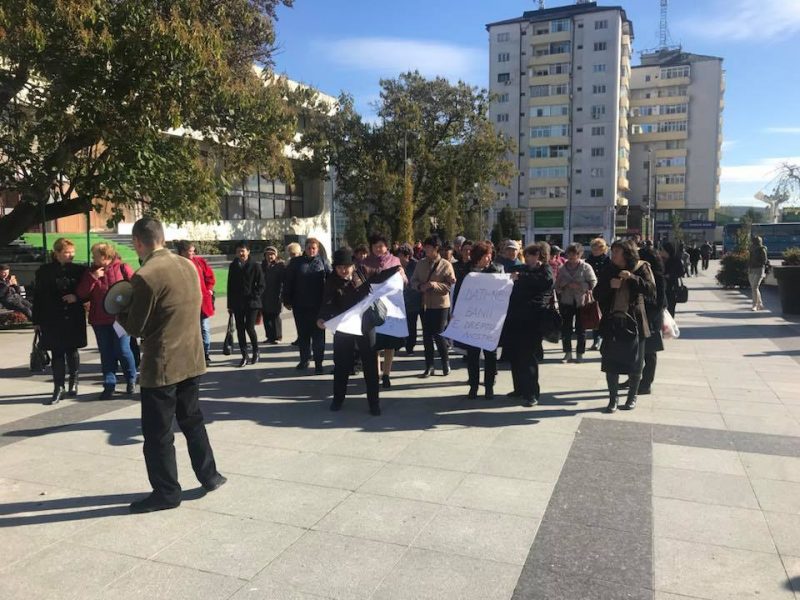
point(676, 140)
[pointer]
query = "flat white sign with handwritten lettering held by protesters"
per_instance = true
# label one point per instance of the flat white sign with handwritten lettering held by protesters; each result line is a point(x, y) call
point(480, 310)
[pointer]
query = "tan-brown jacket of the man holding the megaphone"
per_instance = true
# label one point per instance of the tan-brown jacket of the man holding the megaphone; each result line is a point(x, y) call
point(165, 313)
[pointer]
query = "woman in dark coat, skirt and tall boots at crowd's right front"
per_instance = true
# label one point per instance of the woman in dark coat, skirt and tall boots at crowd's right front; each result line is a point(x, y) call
point(624, 288)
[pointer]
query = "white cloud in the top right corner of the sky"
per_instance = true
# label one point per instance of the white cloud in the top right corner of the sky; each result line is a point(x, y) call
point(747, 20)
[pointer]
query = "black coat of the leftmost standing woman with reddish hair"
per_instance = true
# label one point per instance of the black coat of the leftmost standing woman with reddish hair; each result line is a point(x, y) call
point(63, 325)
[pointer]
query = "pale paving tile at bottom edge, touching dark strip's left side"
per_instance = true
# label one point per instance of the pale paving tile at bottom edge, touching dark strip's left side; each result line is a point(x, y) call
point(428, 575)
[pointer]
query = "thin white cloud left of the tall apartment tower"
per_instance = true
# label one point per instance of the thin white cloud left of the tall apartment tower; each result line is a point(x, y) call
point(391, 56)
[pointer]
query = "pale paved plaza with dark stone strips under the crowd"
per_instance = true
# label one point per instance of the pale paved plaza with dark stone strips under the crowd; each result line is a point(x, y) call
point(695, 494)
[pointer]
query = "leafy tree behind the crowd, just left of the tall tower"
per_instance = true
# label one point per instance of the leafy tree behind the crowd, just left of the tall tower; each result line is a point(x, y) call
point(441, 128)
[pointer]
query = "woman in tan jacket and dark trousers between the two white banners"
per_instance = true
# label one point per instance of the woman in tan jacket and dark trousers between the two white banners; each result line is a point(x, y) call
point(434, 277)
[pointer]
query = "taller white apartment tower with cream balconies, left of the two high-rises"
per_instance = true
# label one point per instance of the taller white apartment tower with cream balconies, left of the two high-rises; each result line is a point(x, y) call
point(560, 77)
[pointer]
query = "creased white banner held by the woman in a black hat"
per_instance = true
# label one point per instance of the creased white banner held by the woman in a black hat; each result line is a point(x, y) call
point(391, 293)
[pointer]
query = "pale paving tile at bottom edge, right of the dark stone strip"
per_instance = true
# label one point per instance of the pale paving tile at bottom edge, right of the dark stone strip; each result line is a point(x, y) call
point(718, 573)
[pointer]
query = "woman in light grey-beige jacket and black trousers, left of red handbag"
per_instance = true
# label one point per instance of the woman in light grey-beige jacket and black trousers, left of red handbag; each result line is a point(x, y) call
point(575, 280)
